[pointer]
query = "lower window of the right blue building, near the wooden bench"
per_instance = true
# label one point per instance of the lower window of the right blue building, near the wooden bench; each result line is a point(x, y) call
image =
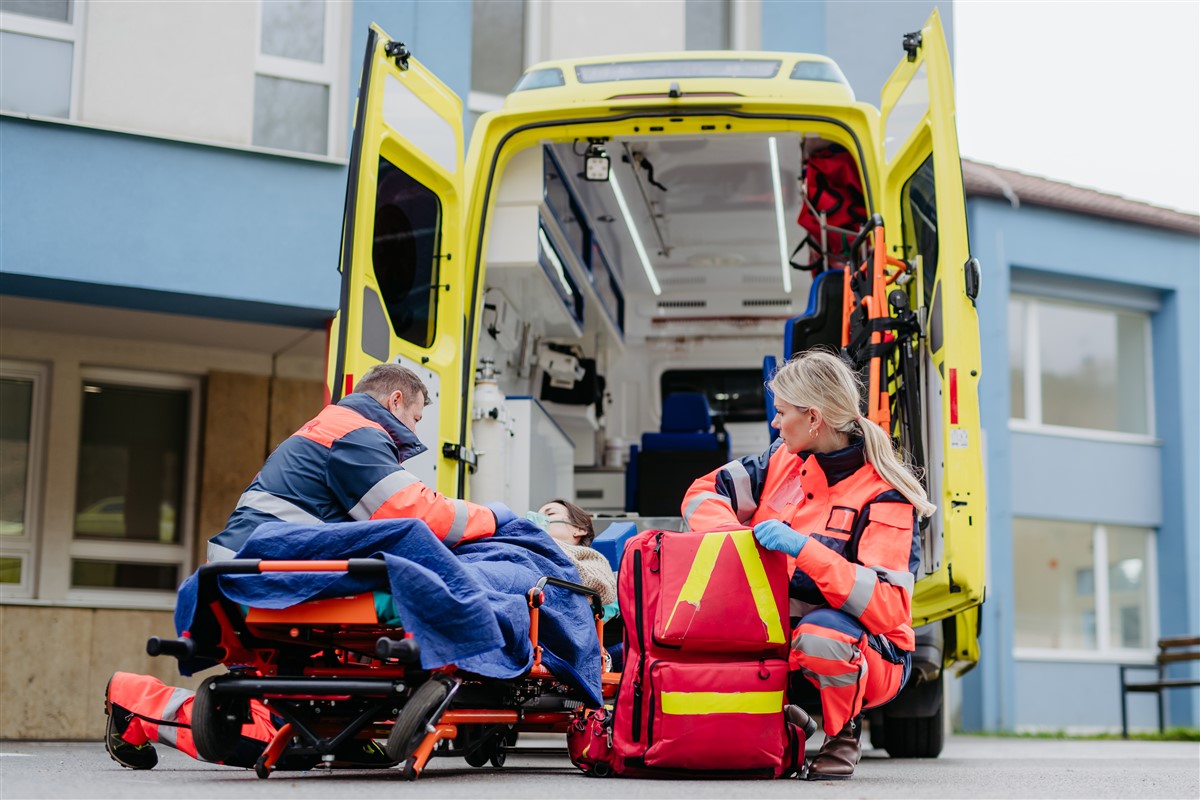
point(1083, 587)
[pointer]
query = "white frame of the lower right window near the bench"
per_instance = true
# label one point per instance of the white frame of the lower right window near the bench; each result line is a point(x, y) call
point(1105, 652)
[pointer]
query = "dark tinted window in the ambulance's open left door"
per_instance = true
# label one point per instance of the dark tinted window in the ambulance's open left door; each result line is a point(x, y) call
point(407, 240)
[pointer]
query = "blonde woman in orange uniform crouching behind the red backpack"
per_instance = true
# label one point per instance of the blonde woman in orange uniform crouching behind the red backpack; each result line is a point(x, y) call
point(833, 494)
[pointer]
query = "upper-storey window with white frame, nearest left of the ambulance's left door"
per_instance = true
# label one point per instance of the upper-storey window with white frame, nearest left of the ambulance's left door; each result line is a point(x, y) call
point(297, 75)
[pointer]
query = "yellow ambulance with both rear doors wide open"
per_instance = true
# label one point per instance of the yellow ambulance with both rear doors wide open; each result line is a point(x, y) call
point(625, 231)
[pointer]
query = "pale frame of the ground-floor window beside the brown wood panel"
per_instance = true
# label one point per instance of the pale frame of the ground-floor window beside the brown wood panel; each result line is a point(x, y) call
point(142, 552)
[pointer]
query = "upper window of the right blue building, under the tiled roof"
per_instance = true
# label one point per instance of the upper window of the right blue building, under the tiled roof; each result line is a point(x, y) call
point(1079, 366)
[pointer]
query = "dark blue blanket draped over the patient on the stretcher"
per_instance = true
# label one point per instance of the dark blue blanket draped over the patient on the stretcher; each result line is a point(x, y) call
point(465, 607)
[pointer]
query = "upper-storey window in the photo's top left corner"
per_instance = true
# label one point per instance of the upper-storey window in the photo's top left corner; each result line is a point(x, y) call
point(39, 50)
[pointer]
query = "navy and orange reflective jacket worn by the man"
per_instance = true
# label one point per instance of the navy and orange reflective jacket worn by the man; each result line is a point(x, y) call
point(341, 466)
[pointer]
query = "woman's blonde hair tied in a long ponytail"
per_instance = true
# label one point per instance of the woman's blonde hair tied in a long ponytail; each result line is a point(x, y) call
point(820, 380)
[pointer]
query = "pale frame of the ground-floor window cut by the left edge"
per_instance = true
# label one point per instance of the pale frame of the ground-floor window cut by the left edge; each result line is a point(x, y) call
point(26, 548)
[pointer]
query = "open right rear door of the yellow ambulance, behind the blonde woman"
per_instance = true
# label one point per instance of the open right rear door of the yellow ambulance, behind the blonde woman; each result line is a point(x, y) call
point(923, 194)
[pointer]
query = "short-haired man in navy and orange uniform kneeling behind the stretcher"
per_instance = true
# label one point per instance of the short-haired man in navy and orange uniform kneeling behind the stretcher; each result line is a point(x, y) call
point(344, 465)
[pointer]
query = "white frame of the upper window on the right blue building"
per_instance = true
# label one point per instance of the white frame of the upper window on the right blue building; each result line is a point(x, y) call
point(1033, 374)
